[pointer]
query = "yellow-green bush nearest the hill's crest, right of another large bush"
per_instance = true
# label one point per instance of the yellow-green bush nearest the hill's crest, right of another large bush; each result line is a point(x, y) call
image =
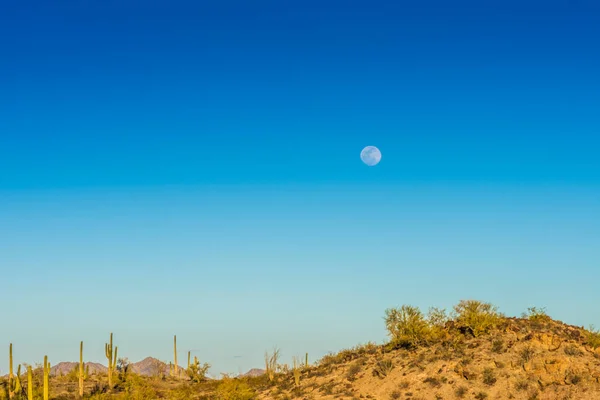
point(478, 316)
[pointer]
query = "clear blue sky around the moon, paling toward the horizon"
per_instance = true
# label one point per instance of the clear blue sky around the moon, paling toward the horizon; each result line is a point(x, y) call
point(193, 168)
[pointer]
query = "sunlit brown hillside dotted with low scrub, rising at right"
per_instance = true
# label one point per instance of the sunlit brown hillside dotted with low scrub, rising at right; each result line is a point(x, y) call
point(521, 359)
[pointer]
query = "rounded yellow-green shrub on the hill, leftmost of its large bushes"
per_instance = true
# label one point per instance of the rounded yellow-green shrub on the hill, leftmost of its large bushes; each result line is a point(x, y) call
point(406, 325)
